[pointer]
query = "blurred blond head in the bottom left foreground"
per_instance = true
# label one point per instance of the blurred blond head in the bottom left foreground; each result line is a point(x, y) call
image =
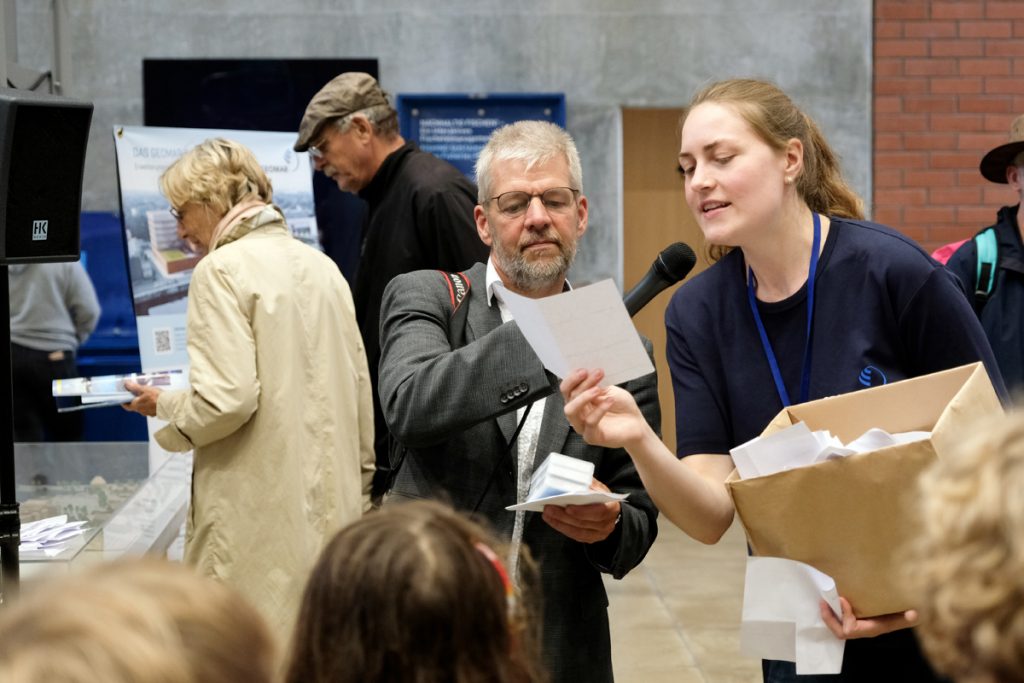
point(135, 620)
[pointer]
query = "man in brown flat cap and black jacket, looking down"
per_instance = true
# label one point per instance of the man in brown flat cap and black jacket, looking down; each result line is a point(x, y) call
point(421, 207)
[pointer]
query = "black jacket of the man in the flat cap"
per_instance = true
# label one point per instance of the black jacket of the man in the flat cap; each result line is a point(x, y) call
point(421, 217)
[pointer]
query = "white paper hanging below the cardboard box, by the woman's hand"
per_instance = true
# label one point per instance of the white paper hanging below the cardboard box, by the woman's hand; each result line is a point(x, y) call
point(782, 618)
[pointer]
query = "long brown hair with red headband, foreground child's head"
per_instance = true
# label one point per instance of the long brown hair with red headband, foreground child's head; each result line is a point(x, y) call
point(416, 593)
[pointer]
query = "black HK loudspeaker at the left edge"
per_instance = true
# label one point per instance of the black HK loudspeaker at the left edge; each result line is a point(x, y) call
point(42, 160)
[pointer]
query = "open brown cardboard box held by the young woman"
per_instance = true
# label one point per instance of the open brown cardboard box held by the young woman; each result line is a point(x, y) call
point(851, 518)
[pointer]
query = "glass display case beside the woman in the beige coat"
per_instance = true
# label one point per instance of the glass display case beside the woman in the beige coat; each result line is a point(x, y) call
point(129, 509)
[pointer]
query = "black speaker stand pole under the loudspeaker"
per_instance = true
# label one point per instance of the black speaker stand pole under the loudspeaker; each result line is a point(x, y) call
point(11, 521)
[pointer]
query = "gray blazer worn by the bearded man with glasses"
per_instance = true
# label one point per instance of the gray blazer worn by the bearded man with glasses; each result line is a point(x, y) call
point(455, 411)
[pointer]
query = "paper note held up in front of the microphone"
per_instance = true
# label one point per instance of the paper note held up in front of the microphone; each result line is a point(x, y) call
point(585, 328)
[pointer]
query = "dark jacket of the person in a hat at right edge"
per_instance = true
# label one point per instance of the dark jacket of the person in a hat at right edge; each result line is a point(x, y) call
point(1003, 316)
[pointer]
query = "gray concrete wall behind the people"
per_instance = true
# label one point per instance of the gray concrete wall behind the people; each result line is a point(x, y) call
point(604, 55)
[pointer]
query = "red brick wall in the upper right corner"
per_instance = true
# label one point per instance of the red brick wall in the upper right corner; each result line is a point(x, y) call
point(949, 81)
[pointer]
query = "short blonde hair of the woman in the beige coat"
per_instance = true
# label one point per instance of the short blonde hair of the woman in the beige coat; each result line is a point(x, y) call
point(219, 174)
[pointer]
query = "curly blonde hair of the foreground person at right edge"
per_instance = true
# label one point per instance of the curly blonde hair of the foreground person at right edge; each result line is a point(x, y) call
point(968, 568)
